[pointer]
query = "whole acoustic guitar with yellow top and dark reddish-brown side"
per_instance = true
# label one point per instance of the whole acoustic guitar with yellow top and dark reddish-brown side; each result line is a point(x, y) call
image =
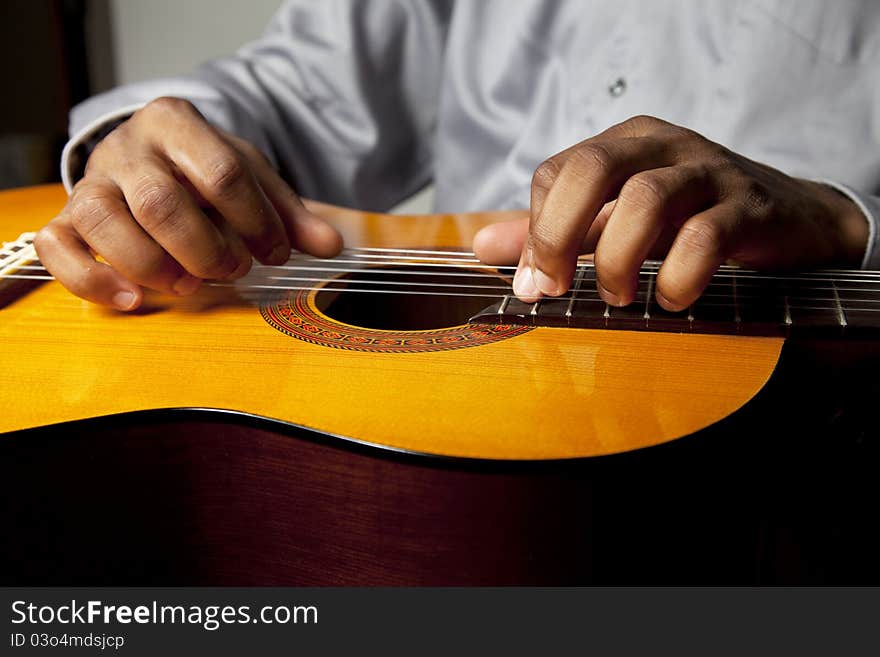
point(395, 416)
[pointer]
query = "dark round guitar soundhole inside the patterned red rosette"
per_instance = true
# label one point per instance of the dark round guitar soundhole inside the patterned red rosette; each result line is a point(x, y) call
point(405, 299)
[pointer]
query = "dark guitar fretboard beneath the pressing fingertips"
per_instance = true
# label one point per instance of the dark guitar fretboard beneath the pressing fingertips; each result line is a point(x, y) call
point(737, 301)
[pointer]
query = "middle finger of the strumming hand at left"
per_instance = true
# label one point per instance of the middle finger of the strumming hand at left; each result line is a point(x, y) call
point(172, 218)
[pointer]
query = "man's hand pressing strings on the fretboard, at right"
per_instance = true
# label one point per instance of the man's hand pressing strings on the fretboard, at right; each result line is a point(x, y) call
point(648, 189)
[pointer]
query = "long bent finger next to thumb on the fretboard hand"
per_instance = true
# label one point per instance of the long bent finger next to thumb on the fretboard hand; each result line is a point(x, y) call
point(576, 191)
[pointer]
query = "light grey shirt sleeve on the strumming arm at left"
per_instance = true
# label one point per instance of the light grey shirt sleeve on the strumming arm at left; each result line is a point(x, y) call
point(341, 96)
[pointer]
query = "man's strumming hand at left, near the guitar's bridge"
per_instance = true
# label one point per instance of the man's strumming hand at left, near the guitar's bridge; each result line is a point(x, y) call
point(166, 201)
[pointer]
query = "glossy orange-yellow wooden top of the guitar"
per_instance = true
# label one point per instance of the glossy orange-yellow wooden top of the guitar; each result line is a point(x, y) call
point(550, 393)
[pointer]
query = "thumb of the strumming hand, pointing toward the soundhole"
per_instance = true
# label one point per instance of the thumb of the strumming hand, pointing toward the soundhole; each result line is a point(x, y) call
point(306, 231)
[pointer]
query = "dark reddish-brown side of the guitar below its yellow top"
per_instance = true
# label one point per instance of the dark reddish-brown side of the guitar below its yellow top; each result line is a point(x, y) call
point(783, 491)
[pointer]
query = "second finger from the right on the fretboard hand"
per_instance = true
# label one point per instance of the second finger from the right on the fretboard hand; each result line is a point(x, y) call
point(648, 202)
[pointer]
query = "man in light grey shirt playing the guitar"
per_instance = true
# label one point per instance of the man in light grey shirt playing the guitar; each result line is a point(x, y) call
point(362, 103)
